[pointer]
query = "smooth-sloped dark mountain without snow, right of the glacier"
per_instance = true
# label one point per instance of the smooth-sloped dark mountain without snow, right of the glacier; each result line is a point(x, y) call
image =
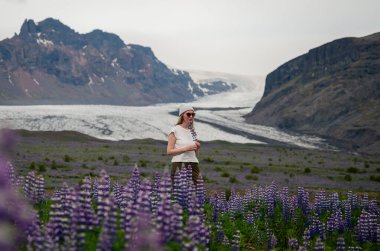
point(332, 91)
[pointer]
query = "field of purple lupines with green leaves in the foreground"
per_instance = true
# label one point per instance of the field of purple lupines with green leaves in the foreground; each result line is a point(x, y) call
point(101, 214)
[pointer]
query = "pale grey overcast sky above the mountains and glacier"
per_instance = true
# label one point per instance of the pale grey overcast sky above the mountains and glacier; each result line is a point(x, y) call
point(234, 36)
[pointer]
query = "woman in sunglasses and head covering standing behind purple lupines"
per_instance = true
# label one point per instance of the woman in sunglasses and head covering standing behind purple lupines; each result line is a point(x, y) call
point(183, 144)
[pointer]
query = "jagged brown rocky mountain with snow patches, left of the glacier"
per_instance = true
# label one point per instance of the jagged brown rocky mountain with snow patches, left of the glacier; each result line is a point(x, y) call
point(50, 63)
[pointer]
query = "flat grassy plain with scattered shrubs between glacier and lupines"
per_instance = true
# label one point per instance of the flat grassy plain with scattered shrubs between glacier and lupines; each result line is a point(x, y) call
point(70, 154)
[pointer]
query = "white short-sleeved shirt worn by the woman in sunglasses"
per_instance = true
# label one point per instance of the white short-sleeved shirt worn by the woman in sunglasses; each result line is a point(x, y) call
point(183, 138)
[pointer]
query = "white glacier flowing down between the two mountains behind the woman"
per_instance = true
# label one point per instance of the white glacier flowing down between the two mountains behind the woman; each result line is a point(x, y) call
point(219, 117)
